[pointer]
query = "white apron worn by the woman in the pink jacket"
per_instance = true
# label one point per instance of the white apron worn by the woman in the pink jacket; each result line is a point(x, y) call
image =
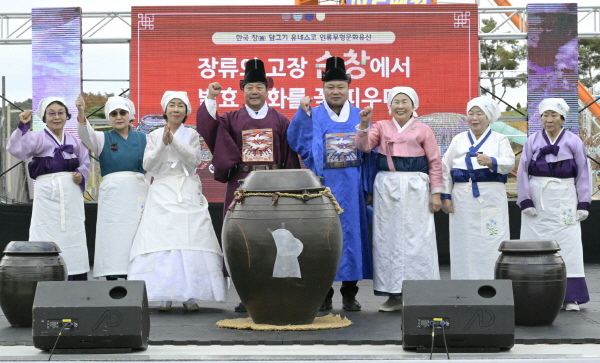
point(404, 243)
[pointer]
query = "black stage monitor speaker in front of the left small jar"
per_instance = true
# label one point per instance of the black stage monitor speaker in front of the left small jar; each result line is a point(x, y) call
point(91, 315)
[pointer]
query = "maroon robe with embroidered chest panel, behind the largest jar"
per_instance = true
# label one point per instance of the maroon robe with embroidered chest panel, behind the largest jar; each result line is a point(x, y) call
point(244, 138)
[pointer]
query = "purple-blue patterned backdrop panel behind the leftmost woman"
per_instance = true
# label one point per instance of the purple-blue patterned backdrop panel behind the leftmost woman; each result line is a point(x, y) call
point(56, 49)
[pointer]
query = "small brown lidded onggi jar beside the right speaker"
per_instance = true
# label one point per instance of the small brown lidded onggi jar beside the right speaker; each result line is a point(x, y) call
point(539, 279)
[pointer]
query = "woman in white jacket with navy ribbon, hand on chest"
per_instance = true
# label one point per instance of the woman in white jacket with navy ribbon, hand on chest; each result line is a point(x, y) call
point(475, 167)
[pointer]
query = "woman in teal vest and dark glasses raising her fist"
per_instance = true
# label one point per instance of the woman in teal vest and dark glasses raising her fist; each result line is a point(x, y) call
point(123, 190)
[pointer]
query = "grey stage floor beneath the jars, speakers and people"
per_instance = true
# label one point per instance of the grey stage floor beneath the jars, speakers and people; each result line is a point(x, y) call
point(370, 327)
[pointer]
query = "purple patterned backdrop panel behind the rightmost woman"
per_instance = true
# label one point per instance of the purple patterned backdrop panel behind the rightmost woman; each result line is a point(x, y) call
point(552, 66)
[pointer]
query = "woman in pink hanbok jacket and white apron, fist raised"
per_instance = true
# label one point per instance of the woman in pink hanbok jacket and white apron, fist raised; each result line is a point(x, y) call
point(406, 194)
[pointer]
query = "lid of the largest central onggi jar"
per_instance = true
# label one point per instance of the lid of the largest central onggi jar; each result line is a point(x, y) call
point(281, 180)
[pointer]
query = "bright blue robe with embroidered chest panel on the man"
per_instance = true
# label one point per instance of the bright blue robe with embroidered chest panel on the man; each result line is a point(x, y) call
point(325, 142)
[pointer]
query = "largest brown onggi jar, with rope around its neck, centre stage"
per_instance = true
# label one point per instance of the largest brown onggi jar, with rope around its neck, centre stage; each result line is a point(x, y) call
point(282, 244)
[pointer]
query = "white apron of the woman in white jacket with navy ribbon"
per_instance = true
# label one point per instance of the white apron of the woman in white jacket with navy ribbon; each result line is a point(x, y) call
point(477, 227)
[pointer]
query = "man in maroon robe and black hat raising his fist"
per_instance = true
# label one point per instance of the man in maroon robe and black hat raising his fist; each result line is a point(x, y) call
point(251, 138)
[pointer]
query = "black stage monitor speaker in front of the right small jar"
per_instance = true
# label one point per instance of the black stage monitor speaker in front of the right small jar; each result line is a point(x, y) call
point(472, 314)
